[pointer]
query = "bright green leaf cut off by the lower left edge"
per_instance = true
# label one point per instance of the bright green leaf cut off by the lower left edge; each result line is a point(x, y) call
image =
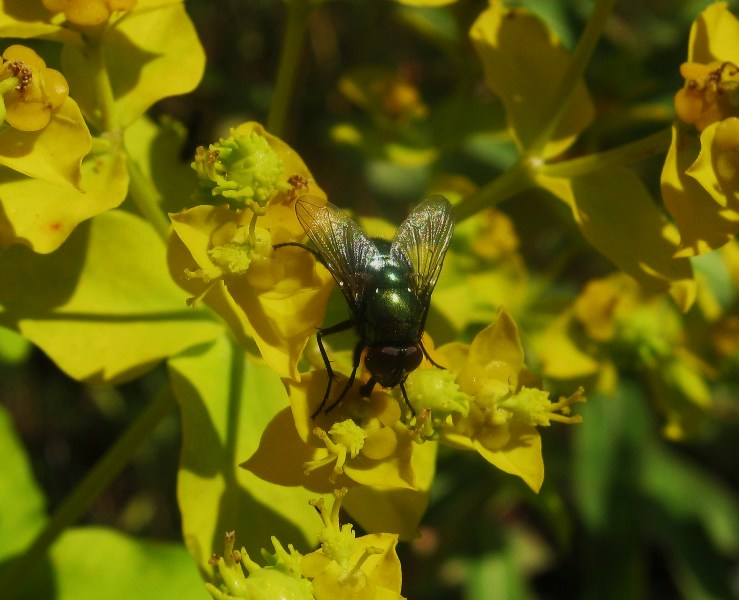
point(22, 505)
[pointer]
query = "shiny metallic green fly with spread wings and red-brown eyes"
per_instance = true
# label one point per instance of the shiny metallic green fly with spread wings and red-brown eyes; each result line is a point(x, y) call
point(387, 286)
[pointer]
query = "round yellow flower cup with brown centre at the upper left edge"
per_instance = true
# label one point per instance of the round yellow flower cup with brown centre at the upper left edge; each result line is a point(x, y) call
point(30, 91)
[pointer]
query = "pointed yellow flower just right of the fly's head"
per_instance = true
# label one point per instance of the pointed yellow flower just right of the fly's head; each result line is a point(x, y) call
point(505, 408)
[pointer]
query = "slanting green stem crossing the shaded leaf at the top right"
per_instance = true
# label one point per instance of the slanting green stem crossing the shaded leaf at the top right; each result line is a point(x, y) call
point(559, 102)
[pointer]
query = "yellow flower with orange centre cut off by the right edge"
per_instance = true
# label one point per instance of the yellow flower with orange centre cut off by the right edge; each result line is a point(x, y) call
point(699, 180)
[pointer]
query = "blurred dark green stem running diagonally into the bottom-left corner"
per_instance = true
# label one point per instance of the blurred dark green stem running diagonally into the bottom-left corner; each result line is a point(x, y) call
point(79, 501)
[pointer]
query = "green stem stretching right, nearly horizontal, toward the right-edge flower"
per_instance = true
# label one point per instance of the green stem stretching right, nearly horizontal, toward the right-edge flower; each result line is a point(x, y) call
point(630, 153)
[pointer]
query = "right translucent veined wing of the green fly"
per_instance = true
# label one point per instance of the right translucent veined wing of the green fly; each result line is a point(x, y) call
point(422, 240)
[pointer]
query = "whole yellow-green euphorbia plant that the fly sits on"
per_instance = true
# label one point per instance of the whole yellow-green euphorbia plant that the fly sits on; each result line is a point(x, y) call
point(119, 257)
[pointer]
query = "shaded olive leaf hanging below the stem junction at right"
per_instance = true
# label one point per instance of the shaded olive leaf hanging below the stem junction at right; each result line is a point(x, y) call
point(618, 217)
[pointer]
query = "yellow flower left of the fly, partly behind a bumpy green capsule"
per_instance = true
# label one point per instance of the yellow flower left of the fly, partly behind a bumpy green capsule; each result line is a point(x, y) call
point(226, 257)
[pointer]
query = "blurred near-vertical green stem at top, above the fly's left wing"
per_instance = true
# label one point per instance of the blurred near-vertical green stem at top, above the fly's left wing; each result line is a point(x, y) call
point(298, 12)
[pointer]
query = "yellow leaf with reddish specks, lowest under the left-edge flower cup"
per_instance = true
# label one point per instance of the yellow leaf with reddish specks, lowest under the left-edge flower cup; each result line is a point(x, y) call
point(41, 215)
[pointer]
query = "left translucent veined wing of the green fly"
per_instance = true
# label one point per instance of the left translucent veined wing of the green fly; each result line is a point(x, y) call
point(345, 249)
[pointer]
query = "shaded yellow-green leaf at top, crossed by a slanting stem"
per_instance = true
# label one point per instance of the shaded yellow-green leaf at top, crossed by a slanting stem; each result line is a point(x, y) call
point(523, 62)
